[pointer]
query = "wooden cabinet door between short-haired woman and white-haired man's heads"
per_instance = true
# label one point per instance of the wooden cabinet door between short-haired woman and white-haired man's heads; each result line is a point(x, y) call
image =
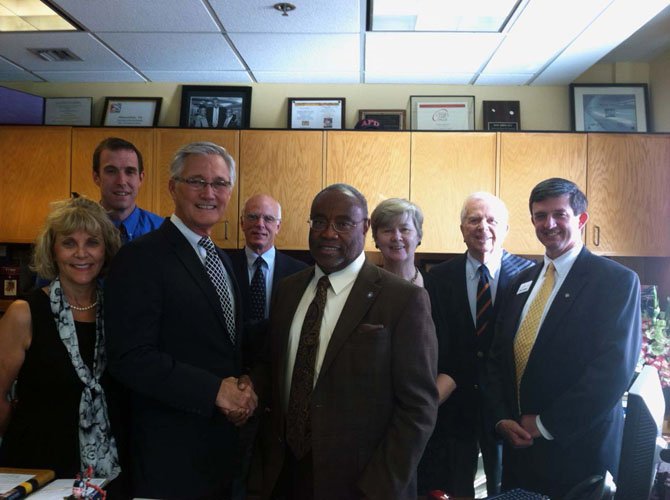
point(446, 168)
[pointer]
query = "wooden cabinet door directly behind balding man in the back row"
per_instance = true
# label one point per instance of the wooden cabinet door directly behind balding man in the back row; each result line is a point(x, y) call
point(287, 165)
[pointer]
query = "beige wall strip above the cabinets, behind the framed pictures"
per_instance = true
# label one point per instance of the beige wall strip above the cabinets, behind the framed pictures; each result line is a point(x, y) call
point(542, 107)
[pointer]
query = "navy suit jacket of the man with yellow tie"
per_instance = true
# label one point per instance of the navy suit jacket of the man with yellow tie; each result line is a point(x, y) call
point(582, 362)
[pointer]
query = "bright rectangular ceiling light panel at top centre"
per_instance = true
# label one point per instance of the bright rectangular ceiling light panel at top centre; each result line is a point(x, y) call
point(440, 15)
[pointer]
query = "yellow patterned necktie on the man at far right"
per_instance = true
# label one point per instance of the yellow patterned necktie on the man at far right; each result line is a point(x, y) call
point(527, 333)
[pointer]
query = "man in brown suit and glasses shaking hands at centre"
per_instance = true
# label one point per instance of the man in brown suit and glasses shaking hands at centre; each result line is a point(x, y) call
point(353, 421)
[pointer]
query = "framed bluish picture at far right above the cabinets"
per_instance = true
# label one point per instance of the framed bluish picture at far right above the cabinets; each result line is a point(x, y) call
point(609, 107)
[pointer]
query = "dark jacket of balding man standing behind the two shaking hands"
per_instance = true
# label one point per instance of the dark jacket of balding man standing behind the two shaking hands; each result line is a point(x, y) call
point(285, 265)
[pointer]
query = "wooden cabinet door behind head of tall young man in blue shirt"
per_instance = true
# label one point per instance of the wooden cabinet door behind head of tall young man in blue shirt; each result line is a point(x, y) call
point(84, 142)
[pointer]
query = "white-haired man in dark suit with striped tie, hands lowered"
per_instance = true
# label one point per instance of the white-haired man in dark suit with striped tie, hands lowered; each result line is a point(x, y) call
point(464, 297)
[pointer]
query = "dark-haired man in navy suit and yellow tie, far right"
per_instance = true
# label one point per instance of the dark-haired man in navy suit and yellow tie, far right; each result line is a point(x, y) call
point(567, 342)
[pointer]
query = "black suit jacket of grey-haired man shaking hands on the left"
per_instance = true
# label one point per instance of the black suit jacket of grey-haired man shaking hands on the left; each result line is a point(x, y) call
point(167, 342)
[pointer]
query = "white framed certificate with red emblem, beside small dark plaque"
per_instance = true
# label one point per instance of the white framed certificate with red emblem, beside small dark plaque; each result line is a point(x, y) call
point(442, 112)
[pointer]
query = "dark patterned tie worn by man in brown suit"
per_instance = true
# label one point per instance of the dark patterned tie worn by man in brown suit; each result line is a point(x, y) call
point(298, 417)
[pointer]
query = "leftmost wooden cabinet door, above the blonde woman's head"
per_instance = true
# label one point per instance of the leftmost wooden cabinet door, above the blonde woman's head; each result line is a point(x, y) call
point(35, 164)
